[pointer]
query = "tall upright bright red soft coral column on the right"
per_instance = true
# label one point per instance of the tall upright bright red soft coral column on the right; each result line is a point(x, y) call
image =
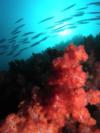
point(68, 84)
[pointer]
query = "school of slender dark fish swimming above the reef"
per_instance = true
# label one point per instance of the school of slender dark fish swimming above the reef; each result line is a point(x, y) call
point(18, 42)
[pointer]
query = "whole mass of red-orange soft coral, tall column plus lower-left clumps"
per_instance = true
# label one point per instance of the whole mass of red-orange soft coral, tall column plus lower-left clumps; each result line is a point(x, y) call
point(68, 100)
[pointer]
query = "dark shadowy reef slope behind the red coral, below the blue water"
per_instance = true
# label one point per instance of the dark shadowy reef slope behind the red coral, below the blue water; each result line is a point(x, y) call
point(16, 84)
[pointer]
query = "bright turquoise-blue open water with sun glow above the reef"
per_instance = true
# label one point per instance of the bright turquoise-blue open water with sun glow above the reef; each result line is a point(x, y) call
point(55, 29)
